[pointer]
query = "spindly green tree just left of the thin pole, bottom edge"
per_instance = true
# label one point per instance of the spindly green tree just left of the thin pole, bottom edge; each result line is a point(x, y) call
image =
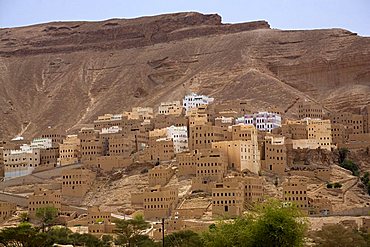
point(128, 231)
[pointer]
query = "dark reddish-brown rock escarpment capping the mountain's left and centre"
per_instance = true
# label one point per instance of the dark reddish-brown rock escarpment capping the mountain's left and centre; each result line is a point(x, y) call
point(114, 34)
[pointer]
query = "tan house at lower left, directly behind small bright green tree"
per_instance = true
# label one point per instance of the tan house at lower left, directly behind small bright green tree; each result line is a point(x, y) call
point(42, 198)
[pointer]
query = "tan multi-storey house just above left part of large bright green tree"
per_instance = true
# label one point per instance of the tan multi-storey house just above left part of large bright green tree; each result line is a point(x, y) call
point(228, 199)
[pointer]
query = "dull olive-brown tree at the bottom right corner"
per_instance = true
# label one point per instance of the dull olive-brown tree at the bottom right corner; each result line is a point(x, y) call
point(337, 235)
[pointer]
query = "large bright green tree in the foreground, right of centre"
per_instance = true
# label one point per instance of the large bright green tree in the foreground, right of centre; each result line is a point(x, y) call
point(269, 224)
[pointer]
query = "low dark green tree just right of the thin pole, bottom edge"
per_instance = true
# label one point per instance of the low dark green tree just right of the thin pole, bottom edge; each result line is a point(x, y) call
point(185, 238)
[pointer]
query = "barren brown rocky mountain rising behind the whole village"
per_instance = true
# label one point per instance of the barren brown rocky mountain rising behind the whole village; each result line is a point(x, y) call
point(64, 74)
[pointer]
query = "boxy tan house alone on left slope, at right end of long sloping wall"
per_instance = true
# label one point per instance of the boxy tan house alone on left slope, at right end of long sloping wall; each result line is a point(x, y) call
point(76, 182)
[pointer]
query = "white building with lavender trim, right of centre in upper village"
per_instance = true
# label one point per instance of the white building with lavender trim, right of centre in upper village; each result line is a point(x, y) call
point(264, 121)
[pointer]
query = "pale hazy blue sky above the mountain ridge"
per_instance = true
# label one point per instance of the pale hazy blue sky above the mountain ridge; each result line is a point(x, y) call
point(353, 15)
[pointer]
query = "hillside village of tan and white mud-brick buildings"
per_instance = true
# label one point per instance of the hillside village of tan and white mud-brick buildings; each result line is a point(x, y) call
point(188, 164)
